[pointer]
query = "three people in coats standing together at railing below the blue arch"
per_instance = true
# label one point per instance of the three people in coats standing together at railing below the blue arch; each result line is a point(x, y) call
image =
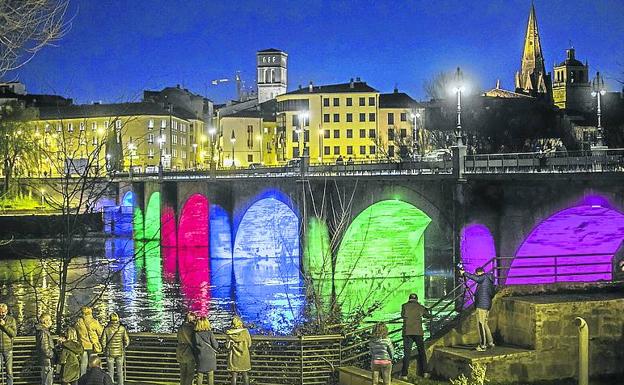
point(197, 349)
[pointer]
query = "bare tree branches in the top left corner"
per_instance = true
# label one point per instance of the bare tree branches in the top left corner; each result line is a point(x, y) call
point(26, 26)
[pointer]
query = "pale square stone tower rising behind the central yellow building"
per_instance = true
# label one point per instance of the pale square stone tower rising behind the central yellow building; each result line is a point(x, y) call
point(272, 73)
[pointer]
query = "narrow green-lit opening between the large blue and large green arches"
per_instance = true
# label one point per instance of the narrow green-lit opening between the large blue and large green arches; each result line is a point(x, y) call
point(317, 251)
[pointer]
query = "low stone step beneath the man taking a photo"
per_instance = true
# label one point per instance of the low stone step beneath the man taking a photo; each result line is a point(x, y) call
point(504, 363)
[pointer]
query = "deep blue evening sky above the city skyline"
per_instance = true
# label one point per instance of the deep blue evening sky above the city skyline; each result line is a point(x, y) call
point(118, 48)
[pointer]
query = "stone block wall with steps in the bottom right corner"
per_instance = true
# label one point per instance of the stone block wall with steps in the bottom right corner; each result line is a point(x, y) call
point(537, 338)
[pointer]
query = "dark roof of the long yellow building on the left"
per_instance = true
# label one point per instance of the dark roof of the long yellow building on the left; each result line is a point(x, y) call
point(111, 110)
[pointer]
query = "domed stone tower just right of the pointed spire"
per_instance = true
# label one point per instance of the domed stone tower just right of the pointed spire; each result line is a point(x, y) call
point(571, 85)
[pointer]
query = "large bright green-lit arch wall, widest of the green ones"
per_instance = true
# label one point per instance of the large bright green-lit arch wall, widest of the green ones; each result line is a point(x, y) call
point(384, 242)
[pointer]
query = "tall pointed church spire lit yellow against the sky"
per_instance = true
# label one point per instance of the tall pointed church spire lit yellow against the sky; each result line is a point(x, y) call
point(532, 78)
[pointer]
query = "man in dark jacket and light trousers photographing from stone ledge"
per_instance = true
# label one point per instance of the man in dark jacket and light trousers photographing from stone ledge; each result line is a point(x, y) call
point(483, 303)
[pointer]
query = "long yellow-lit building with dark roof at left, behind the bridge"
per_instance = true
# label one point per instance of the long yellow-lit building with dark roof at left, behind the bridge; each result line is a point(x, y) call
point(118, 136)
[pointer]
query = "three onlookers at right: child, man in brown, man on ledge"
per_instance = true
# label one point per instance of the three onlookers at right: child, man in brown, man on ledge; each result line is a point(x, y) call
point(412, 313)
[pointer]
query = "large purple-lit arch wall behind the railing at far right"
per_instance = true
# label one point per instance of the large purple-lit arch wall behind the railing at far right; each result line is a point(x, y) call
point(576, 231)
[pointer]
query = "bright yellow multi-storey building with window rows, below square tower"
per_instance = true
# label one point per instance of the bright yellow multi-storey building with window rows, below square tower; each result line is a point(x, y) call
point(348, 121)
